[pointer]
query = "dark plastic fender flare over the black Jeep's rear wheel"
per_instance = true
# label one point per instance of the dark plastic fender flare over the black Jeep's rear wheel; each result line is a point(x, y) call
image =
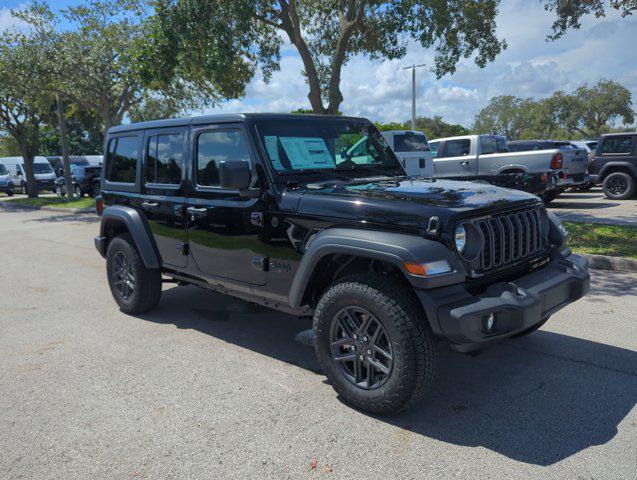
point(137, 228)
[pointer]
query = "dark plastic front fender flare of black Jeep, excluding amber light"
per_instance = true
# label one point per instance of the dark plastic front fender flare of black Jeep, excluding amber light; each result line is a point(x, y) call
point(393, 248)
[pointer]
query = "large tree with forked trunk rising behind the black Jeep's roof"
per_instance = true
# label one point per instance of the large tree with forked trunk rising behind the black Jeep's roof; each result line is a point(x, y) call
point(221, 51)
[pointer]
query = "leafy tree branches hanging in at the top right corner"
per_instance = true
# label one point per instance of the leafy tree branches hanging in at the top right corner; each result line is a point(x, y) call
point(569, 13)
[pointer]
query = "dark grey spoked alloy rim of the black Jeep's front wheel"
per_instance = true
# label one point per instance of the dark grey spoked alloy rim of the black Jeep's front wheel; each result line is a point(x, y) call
point(361, 348)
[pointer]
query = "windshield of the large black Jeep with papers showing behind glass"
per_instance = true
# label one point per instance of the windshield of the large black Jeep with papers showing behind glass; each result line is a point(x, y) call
point(326, 145)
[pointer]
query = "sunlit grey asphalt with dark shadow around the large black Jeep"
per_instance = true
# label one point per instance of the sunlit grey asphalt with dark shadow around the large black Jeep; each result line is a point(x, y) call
point(210, 387)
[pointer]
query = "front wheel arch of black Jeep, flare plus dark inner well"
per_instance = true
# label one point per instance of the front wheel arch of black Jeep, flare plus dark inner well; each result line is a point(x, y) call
point(333, 253)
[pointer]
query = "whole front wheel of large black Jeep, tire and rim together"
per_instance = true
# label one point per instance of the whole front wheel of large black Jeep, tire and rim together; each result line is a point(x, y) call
point(374, 344)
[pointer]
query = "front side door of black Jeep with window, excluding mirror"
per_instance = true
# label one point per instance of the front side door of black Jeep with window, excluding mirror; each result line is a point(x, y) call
point(224, 227)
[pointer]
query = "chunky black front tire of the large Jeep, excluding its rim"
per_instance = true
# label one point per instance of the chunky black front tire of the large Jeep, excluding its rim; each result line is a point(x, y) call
point(412, 341)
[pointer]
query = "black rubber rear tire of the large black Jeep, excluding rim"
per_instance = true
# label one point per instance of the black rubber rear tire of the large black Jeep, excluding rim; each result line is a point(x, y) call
point(147, 291)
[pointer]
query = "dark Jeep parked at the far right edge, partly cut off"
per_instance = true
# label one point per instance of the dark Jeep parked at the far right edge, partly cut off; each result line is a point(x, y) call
point(615, 165)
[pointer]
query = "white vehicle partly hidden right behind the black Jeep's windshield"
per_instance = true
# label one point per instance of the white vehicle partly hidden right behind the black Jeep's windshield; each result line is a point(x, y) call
point(412, 150)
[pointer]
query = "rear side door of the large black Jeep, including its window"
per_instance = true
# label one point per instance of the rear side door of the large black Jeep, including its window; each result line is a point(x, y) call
point(162, 197)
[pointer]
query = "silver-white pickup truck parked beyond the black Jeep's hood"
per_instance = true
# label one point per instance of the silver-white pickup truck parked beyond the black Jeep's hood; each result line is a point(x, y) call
point(483, 156)
